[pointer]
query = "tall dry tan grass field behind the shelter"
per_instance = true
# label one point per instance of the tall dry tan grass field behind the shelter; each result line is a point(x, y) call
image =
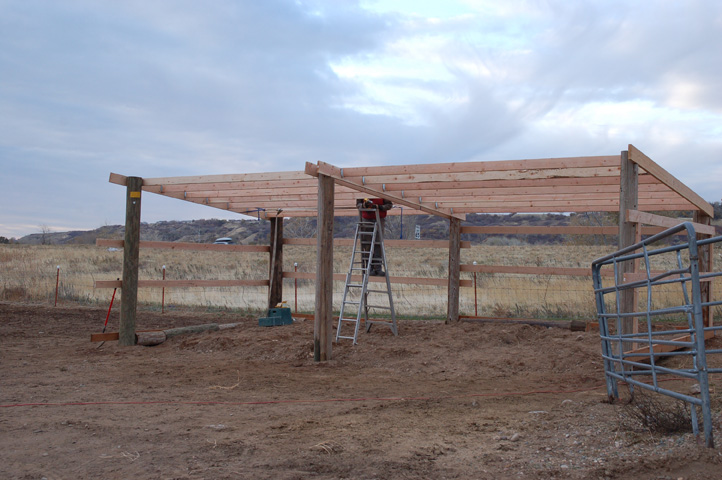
point(28, 273)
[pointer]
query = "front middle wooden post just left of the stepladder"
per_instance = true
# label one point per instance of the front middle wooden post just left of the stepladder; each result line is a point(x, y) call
point(323, 320)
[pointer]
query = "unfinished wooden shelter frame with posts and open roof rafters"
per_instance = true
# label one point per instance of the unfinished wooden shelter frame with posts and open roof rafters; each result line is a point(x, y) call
point(629, 183)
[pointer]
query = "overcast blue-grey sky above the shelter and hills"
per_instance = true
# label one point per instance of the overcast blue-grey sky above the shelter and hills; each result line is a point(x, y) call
point(164, 88)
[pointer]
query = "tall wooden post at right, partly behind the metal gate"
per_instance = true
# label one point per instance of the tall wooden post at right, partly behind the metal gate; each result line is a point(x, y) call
point(628, 200)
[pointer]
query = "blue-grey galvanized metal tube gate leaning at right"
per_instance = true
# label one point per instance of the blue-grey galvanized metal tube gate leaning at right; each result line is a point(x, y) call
point(667, 293)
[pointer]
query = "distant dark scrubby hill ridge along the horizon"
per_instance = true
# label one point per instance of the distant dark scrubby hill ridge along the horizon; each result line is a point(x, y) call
point(250, 232)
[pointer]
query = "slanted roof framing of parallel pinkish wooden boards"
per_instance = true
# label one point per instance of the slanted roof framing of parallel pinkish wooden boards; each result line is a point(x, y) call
point(574, 184)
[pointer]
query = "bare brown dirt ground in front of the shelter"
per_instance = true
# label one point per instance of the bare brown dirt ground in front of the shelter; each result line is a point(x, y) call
point(439, 401)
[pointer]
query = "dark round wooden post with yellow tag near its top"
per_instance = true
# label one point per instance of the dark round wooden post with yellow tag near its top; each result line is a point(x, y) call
point(131, 250)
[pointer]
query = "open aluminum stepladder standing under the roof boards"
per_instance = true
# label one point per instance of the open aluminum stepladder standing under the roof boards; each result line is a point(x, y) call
point(356, 295)
